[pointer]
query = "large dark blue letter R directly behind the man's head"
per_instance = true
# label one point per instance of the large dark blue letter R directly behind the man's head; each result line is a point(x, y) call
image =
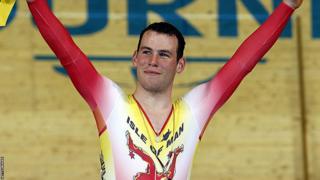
point(138, 9)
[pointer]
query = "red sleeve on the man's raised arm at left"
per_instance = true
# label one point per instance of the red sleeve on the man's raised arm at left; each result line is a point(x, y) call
point(83, 75)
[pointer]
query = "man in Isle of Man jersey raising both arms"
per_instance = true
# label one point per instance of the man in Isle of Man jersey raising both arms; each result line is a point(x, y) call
point(145, 135)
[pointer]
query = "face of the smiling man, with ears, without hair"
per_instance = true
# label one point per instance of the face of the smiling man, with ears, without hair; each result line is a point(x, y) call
point(156, 61)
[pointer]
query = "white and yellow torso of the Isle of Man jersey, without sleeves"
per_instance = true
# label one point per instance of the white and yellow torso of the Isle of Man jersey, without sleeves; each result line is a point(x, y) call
point(130, 141)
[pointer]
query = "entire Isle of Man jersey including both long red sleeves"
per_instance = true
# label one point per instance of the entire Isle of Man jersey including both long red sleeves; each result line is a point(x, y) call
point(131, 149)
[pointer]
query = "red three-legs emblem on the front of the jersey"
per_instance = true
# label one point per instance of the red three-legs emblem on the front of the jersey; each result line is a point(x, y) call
point(151, 172)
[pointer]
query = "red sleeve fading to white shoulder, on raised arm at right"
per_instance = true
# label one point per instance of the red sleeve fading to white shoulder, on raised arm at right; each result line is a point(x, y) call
point(213, 94)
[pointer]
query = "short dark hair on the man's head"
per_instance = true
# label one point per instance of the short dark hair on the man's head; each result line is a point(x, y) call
point(169, 29)
